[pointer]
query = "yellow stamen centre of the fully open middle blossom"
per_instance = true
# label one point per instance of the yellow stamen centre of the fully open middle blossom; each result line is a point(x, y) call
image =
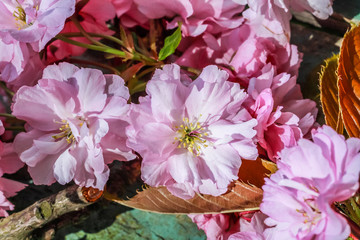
point(191, 136)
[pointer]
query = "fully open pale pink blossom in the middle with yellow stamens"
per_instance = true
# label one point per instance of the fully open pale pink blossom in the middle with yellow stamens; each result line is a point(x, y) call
point(191, 135)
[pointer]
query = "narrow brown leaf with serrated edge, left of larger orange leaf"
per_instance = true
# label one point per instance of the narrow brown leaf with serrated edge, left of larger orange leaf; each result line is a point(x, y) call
point(329, 94)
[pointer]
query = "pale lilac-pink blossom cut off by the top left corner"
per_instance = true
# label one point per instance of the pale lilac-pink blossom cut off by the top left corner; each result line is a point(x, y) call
point(34, 22)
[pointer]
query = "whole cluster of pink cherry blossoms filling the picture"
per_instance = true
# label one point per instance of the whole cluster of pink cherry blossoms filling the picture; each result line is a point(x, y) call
point(192, 132)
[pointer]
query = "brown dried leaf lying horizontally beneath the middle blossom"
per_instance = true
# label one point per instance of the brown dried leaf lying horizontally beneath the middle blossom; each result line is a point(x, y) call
point(241, 197)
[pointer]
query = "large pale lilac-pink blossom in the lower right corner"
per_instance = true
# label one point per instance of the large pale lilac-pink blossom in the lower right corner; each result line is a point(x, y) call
point(311, 176)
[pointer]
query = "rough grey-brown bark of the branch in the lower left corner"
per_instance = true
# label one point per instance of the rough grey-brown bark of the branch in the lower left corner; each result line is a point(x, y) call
point(20, 225)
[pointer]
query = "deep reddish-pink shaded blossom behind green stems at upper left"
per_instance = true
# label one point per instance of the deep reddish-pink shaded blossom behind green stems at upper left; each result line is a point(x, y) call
point(92, 17)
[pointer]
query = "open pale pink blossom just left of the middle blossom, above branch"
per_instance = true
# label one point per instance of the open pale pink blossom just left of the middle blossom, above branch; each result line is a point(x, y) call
point(76, 120)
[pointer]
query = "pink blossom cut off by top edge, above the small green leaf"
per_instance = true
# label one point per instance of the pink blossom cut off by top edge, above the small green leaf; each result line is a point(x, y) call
point(197, 16)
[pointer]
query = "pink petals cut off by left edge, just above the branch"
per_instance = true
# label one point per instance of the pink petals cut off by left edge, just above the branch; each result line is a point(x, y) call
point(9, 163)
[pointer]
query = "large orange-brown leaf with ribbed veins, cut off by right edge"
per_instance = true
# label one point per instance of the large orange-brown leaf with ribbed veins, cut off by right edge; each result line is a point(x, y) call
point(349, 81)
